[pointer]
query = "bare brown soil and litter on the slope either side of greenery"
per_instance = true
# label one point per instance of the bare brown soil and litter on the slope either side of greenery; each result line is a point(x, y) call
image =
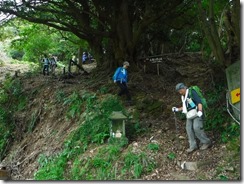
point(146, 88)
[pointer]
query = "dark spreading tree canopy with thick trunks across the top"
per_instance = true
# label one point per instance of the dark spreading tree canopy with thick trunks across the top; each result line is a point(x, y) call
point(119, 30)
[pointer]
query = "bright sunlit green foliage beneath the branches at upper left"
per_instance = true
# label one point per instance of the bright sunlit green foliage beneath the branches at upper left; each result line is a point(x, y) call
point(30, 41)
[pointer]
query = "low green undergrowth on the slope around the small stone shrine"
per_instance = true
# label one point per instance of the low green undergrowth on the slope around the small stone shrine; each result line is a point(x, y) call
point(92, 115)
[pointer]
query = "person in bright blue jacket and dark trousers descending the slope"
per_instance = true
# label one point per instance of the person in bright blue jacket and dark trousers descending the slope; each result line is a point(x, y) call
point(120, 77)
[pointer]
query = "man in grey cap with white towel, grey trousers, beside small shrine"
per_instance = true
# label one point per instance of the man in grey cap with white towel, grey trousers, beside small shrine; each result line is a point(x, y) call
point(193, 108)
